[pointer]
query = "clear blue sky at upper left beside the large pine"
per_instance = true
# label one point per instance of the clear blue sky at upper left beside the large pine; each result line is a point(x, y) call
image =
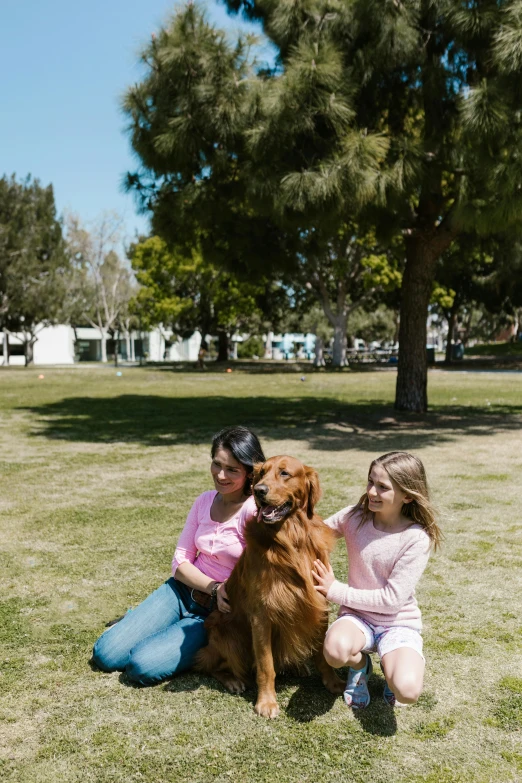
point(65, 66)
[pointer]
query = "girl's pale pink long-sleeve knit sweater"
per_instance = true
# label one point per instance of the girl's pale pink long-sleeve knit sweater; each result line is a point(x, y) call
point(383, 571)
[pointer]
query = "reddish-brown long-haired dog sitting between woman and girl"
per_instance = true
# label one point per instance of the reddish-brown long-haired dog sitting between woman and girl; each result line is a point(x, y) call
point(277, 618)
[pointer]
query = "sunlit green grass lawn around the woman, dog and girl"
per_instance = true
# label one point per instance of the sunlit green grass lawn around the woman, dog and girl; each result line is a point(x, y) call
point(98, 473)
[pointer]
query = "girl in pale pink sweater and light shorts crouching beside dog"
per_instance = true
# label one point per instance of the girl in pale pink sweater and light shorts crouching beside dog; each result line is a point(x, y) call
point(389, 534)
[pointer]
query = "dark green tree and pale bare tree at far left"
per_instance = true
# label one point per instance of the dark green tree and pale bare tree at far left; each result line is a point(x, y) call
point(54, 271)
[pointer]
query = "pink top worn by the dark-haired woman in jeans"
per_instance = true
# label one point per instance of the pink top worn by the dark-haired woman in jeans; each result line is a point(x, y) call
point(213, 547)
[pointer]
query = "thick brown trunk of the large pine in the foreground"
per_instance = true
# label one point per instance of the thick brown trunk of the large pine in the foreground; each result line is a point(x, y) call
point(412, 376)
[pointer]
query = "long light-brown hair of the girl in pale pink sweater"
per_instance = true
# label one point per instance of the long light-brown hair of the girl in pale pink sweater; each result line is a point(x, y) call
point(408, 473)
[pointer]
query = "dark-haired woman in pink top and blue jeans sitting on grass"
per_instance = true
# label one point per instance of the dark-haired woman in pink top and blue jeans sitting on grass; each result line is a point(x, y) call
point(160, 637)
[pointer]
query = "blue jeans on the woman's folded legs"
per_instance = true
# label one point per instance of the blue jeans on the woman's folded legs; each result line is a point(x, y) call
point(157, 639)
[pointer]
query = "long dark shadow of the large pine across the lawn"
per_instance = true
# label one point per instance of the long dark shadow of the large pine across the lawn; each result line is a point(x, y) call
point(324, 423)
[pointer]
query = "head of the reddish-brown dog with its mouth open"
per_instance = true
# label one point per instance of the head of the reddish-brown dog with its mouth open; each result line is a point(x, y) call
point(282, 485)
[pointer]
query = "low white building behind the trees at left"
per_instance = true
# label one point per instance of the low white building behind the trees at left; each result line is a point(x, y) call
point(60, 345)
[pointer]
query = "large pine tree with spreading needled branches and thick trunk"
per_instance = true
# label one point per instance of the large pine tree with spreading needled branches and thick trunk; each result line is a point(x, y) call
point(405, 112)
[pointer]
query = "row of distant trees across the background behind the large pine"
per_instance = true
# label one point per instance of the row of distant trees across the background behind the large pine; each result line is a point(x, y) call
point(55, 270)
